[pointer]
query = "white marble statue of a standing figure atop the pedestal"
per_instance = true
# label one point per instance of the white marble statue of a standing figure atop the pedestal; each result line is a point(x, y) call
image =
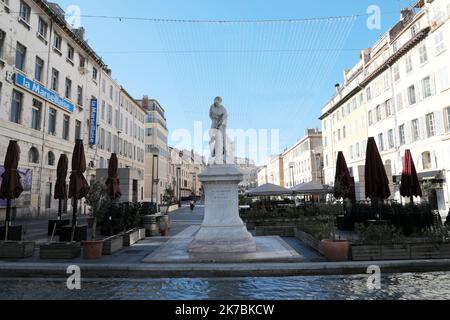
point(220, 144)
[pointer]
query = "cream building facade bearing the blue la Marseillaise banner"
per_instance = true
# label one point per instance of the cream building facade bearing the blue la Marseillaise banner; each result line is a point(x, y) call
point(50, 80)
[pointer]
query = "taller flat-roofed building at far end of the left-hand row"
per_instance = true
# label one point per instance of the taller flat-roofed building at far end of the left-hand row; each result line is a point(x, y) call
point(156, 150)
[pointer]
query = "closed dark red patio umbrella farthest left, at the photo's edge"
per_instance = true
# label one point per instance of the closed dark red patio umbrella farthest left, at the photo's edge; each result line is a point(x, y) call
point(11, 187)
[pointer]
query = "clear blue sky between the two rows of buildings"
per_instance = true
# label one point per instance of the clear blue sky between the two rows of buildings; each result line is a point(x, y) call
point(270, 75)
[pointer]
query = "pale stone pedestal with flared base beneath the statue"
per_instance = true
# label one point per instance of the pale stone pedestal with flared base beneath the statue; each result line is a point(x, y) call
point(222, 229)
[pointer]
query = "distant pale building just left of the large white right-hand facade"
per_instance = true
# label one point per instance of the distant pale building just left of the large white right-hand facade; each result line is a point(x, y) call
point(303, 161)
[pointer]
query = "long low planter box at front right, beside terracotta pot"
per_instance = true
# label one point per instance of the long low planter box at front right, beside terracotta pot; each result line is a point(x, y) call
point(407, 251)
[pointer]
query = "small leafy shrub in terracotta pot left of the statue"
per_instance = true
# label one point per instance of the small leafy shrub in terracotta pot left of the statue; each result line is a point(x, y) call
point(98, 200)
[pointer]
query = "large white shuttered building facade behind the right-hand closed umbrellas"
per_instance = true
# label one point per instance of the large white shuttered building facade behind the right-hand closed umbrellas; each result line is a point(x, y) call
point(399, 94)
